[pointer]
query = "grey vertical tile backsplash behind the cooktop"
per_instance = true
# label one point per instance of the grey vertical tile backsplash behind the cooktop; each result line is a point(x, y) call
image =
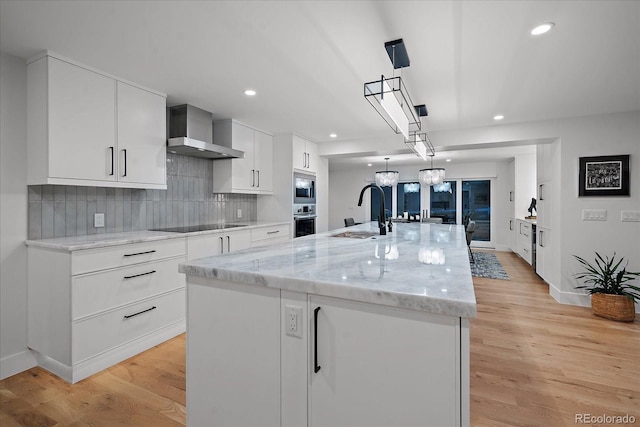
point(64, 210)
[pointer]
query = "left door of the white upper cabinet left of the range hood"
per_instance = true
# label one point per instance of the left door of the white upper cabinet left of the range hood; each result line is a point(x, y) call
point(82, 123)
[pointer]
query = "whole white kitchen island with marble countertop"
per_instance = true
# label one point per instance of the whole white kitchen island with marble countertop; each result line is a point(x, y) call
point(341, 328)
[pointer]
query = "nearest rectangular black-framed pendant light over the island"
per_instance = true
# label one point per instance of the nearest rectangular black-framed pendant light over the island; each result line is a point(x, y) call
point(389, 97)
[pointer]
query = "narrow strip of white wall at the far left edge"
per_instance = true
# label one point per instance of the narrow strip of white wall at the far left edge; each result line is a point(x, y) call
point(14, 355)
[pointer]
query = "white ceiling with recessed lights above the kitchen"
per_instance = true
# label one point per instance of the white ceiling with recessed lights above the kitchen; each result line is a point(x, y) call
point(308, 60)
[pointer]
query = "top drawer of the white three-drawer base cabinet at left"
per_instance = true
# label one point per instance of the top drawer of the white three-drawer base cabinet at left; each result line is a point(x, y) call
point(88, 260)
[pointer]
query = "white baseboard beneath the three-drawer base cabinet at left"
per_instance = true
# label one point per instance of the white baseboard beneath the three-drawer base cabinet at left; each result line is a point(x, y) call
point(88, 367)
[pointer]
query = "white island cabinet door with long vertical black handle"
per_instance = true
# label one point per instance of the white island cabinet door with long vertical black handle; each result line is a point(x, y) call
point(381, 366)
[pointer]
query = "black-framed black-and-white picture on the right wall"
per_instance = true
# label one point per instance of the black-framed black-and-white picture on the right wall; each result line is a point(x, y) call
point(604, 176)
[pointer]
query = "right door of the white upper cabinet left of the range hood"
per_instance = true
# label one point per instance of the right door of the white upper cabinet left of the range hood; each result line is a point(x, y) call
point(141, 136)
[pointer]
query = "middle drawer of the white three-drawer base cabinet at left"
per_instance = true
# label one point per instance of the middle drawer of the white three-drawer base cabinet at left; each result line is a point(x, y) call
point(95, 292)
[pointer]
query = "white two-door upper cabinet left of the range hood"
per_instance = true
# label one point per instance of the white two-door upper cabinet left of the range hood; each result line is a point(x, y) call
point(88, 128)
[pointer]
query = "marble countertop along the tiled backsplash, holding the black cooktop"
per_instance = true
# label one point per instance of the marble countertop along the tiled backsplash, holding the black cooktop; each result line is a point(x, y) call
point(93, 241)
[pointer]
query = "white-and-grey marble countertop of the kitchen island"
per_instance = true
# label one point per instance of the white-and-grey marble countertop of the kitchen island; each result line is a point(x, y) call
point(400, 269)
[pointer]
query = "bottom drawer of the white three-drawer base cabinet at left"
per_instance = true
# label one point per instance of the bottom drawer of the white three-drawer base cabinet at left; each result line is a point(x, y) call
point(106, 331)
